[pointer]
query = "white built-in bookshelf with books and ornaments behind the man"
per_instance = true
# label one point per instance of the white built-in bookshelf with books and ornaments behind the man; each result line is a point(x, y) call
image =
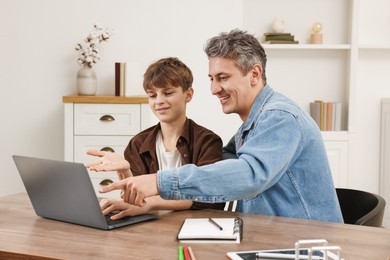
point(308, 72)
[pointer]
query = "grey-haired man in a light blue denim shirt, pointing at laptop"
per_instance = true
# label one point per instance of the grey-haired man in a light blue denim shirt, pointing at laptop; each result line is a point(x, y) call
point(281, 167)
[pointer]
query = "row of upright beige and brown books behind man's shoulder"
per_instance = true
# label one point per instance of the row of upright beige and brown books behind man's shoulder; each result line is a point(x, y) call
point(327, 115)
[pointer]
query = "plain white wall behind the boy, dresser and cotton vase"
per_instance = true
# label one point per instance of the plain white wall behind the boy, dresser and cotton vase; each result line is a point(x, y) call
point(38, 62)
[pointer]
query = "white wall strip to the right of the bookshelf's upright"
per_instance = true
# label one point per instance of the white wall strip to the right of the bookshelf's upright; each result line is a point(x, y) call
point(373, 84)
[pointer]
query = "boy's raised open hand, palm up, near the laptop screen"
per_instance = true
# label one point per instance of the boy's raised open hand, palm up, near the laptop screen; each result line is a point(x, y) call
point(109, 161)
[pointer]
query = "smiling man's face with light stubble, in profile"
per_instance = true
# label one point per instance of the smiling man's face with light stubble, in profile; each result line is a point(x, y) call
point(230, 86)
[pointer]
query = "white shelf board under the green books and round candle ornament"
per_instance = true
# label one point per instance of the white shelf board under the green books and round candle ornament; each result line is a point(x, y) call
point(307, 46)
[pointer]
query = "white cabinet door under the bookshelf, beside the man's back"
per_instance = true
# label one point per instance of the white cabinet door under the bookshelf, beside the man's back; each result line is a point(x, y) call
point(338, 159)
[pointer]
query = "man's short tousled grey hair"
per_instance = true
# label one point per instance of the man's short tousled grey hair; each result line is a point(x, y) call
point(240, 47)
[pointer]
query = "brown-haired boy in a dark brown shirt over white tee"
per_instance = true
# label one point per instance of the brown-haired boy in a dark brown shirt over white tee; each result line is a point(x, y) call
point(173, 142)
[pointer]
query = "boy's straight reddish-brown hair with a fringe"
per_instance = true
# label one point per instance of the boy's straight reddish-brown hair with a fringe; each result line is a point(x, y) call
point(168, 71)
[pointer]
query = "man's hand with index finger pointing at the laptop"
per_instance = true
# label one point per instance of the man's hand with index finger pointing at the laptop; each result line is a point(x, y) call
point(135, 189)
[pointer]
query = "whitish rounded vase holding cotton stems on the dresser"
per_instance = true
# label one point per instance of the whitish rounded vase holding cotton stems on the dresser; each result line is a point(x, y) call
point(86, 81)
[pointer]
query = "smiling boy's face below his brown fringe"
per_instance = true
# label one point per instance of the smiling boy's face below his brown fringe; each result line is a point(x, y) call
point(169, 103)
